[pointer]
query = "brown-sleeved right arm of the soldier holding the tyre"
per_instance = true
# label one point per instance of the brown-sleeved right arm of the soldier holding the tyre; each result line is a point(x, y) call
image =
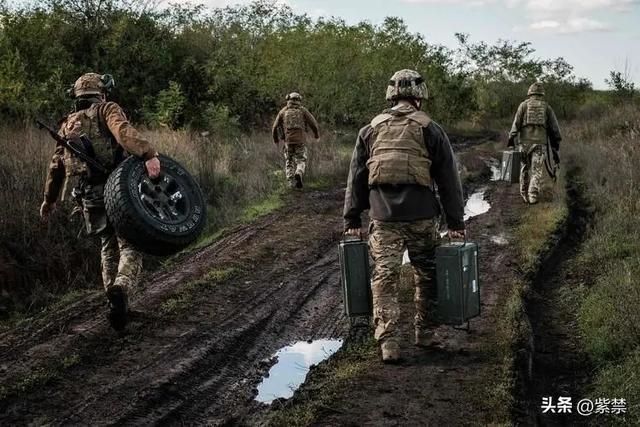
point(125, 134)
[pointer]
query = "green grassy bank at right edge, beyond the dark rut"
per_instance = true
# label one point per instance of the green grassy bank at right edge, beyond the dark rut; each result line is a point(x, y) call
point(607, 150)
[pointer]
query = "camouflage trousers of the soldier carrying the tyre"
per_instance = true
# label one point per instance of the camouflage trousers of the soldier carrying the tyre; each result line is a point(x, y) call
point(121, 262)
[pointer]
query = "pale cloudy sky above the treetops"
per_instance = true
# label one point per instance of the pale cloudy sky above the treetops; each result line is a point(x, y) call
point(595, 36)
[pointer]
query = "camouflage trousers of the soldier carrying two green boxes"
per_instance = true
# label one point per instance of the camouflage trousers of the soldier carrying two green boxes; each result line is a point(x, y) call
point(387, 243)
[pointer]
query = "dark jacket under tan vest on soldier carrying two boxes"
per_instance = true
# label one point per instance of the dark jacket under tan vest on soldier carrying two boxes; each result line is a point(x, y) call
point(405, 202)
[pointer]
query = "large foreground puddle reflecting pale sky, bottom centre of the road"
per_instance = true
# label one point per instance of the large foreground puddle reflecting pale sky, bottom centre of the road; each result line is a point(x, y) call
point(292, 367)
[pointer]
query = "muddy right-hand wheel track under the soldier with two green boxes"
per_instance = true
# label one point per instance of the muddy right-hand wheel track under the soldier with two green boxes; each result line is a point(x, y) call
point(447, 384)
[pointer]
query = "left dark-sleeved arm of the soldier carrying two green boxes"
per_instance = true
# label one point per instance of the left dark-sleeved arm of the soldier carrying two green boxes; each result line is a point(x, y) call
point(356, 198)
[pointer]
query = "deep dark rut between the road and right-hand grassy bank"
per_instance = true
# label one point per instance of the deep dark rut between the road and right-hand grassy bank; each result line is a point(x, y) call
point(555, 365)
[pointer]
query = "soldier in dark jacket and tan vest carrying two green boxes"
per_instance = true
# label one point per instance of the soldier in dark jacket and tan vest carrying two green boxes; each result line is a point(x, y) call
point(396, 161)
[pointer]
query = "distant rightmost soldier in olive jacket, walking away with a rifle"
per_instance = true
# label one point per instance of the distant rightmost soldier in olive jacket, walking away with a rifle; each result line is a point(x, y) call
point(536, 127)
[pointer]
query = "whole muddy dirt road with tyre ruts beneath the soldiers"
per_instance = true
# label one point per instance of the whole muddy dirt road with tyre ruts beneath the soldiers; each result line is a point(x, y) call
point(205, 328)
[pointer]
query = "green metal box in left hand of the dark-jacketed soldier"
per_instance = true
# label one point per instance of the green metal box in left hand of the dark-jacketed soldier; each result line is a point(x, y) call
point(356, 284)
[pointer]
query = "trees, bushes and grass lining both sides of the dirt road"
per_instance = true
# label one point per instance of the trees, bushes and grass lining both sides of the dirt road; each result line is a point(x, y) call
point(205, 84)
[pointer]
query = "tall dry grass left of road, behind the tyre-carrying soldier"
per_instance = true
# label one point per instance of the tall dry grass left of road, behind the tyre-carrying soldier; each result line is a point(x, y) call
point(241, 176)
